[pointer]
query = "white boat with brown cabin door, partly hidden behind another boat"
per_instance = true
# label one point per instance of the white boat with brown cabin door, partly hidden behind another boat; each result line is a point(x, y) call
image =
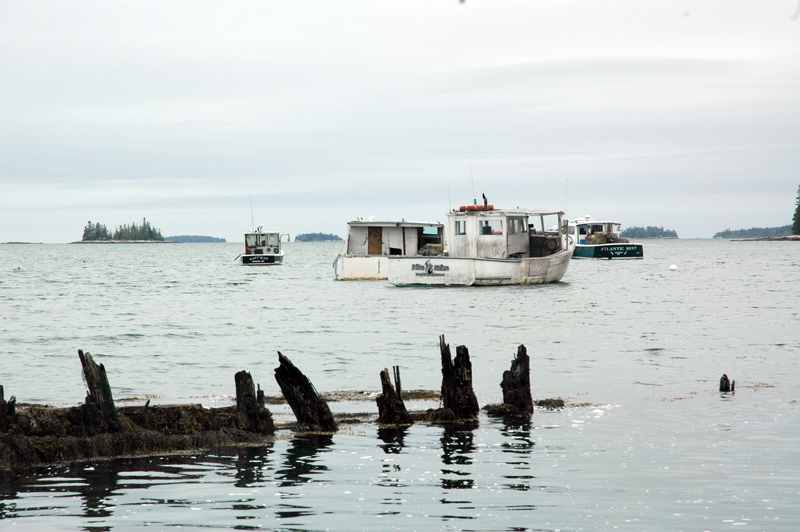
point(368, 246)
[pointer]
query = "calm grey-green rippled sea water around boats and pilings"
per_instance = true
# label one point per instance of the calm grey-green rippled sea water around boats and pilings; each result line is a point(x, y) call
point(650, 444)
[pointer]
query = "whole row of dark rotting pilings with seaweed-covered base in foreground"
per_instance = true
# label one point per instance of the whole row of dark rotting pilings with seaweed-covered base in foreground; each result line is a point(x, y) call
point(40, 434)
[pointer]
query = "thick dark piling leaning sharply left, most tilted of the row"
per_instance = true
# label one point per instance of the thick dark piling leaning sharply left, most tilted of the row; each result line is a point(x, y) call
point(311, 411)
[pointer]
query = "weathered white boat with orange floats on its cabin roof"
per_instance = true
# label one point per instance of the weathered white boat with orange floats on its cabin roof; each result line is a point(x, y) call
point(492, 247)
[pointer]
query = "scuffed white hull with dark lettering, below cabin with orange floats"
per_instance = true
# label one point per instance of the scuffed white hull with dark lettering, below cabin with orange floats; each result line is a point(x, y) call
point(463, 271)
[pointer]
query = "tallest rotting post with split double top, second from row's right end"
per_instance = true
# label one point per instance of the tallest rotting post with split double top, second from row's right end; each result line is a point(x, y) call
point(457, 393)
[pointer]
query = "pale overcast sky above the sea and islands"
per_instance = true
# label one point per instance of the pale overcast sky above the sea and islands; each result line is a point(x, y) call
point(680, 113)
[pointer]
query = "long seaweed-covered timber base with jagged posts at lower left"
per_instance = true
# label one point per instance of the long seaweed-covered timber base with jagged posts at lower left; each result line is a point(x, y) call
point(33, 435)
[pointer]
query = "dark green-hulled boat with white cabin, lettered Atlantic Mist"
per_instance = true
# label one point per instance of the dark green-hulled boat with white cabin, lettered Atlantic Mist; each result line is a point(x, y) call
point(597, 239)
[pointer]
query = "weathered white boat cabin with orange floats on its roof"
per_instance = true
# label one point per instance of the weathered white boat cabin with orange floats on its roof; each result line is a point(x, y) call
point(484, 232)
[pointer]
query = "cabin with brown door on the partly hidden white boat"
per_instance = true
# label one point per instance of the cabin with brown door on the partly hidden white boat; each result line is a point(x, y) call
point(394, 238)
